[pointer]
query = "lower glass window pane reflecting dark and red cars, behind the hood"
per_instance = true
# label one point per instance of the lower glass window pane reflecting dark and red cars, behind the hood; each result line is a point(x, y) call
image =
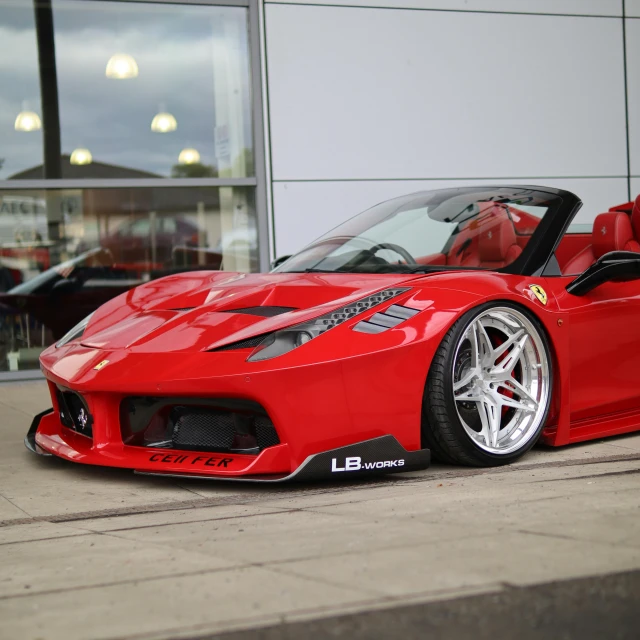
point(65, 252)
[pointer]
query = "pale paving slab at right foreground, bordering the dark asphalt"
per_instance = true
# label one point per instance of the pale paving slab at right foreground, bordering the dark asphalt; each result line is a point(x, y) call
point(513, 557)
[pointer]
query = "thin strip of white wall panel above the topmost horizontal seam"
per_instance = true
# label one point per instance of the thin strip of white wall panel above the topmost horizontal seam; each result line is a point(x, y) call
point(574, 7)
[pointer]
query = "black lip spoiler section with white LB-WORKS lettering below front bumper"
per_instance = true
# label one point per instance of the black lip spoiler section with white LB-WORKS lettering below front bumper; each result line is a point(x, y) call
point(379, 456)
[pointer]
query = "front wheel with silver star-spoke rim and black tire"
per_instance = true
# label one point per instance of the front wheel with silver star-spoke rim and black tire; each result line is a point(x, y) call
point(488, 390)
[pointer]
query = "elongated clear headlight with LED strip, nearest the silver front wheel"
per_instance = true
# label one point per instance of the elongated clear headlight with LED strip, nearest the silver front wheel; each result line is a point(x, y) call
point(286, 340)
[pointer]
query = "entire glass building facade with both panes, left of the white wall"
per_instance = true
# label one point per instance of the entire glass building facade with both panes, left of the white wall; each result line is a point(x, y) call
point(130, 149)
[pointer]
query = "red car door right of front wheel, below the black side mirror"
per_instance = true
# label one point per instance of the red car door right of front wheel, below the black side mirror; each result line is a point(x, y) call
point(604, 336)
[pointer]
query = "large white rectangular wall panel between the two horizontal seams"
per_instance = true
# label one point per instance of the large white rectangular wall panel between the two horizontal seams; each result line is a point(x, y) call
point(368, 93)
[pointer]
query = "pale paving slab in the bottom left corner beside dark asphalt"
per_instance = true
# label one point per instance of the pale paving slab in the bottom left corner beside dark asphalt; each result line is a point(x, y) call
point(167, 607)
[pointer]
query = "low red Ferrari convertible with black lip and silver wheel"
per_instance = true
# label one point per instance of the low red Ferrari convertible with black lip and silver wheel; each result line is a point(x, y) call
point(470, 323)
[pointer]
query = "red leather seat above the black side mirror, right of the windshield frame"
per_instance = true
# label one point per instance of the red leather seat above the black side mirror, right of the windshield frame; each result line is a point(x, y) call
point(612, 231)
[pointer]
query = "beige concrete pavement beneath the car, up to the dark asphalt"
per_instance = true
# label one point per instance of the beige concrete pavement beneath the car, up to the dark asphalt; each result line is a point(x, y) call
point(101, 553)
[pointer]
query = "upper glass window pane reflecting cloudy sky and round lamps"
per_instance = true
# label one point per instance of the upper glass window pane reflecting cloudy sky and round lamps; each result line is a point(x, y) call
point(184, 112)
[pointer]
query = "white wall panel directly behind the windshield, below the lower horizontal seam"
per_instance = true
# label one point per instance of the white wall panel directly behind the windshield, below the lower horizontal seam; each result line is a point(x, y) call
point(307, 210)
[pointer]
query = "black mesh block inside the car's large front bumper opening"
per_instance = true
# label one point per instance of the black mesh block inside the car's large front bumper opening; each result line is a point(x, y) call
point(202, 429)
